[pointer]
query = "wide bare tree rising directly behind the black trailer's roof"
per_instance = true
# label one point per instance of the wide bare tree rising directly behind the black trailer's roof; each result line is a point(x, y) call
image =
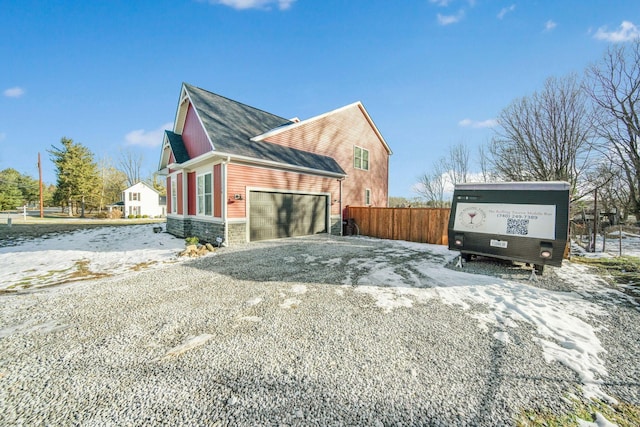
point(546, 136)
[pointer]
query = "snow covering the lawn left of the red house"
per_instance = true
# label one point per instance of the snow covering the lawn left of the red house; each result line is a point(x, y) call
point(87, 253)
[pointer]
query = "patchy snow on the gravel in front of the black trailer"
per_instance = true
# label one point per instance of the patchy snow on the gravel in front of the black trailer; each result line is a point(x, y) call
point(564, 320)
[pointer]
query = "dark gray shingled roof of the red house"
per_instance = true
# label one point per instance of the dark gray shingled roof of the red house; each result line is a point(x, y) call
point(231, 124)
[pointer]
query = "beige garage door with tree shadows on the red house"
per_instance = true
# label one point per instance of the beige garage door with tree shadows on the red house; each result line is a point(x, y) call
point(277, 215)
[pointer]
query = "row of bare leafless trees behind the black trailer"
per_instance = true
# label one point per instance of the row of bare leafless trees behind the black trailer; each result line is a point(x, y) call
point(581, 129)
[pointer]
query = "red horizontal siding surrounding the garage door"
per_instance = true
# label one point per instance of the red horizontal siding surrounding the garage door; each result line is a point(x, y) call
point(239, 177)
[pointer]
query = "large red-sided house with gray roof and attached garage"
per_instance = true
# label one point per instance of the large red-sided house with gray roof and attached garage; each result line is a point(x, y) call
point(242, 174)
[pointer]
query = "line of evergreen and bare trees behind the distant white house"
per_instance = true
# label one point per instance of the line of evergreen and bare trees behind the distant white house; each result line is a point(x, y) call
point(81, 182)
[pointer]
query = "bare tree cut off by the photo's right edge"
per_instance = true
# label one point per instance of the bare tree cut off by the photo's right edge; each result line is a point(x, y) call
point(614, 85)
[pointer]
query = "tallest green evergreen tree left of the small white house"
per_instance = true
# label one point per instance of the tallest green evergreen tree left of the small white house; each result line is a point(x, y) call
point(77, 174)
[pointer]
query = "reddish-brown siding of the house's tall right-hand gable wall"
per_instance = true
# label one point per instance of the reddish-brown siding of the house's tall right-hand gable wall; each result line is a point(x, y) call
point(336, 135)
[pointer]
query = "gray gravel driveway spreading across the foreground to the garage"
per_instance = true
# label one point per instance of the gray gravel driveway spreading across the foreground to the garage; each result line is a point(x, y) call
point(304, 331)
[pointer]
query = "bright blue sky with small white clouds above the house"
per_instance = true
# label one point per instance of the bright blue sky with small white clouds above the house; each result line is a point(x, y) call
point(431, 73)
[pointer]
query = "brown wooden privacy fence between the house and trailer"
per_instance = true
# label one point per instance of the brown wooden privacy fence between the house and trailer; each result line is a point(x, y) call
point(423, 225)
